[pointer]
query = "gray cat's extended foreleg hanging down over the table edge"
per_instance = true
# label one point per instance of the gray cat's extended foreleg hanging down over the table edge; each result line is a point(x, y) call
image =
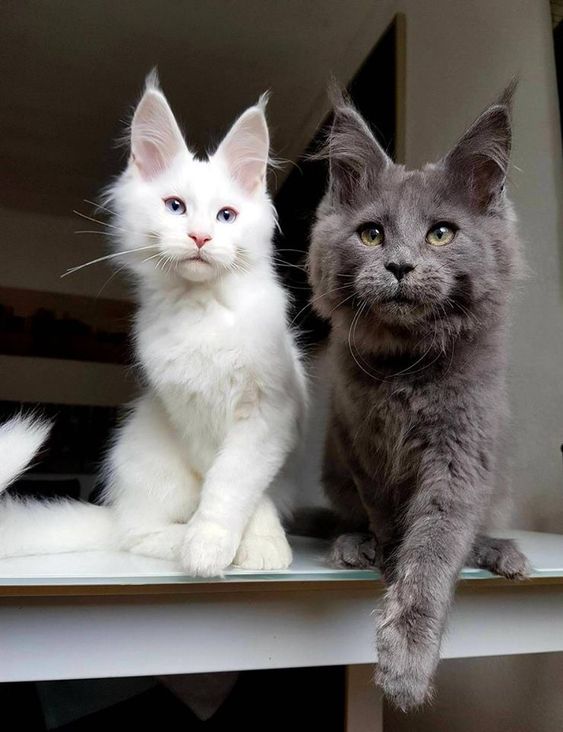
point(439, 528)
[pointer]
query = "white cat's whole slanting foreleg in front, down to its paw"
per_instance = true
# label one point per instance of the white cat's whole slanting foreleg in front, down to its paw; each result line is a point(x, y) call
point(251, 456)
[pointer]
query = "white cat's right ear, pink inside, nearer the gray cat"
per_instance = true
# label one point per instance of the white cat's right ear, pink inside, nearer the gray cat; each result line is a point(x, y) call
point(245, 148)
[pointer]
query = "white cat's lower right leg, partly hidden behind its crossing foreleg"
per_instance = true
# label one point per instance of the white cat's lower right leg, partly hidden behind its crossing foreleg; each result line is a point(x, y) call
point(264, 544)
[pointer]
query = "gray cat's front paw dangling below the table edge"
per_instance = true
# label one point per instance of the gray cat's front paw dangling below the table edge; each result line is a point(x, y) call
point(407, 657)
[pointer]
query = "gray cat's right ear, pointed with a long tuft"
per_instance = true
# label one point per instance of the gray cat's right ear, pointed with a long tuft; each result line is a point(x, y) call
point(479, 162)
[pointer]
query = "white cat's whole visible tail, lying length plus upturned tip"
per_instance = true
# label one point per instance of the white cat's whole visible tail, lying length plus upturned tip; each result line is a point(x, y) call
point(42, 527)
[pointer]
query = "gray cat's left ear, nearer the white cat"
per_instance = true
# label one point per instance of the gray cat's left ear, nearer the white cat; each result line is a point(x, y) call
point(355, 157)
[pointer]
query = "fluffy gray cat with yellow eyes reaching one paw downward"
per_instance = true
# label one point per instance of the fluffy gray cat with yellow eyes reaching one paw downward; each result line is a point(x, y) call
point(414, 268)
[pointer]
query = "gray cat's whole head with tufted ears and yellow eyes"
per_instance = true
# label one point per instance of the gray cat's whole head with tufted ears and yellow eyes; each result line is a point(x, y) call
point(410, 247)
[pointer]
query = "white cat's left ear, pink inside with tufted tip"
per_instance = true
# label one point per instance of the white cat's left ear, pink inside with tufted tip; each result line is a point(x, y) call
point(156, 139)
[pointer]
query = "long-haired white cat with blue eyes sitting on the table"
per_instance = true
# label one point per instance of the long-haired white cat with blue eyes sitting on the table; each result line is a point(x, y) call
point(190, 470)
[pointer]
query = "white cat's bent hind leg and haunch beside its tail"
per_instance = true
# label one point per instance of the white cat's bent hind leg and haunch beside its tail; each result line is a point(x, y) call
point(151, 486)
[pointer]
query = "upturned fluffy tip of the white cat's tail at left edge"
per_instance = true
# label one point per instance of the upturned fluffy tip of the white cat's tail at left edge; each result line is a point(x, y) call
point(20, 440)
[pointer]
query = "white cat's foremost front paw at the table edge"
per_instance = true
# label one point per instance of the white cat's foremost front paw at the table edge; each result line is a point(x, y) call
point(208, 549)
